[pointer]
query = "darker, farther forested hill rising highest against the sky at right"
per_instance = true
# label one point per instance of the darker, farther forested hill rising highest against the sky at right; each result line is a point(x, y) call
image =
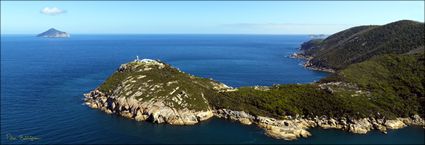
point(358, 44)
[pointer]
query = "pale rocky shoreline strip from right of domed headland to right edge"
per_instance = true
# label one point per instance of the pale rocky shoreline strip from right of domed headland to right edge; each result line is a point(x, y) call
point(295, 127)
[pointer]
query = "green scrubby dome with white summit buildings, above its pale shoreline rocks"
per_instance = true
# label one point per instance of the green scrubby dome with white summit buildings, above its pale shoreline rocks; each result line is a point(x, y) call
point(146, 81)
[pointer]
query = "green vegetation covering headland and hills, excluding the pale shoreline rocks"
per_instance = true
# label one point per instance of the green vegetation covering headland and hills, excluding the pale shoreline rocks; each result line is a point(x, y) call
point(380, 73)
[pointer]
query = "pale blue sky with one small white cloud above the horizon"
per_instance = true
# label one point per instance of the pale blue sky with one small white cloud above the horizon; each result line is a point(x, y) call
point(207, 17)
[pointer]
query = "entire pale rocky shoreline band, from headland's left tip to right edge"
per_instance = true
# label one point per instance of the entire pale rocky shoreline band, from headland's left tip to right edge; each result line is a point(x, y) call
point(288, 129)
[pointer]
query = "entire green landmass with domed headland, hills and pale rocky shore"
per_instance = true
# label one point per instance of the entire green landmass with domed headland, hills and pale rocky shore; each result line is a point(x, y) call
point(377, 82)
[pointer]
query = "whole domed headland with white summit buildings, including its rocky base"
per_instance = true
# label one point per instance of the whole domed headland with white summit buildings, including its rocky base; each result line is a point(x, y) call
point(155, 91)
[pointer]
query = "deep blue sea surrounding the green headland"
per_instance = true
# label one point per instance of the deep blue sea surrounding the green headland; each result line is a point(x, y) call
point(43, 81)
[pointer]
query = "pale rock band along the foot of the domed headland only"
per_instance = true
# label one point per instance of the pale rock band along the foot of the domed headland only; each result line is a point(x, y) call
point(153, 111)
